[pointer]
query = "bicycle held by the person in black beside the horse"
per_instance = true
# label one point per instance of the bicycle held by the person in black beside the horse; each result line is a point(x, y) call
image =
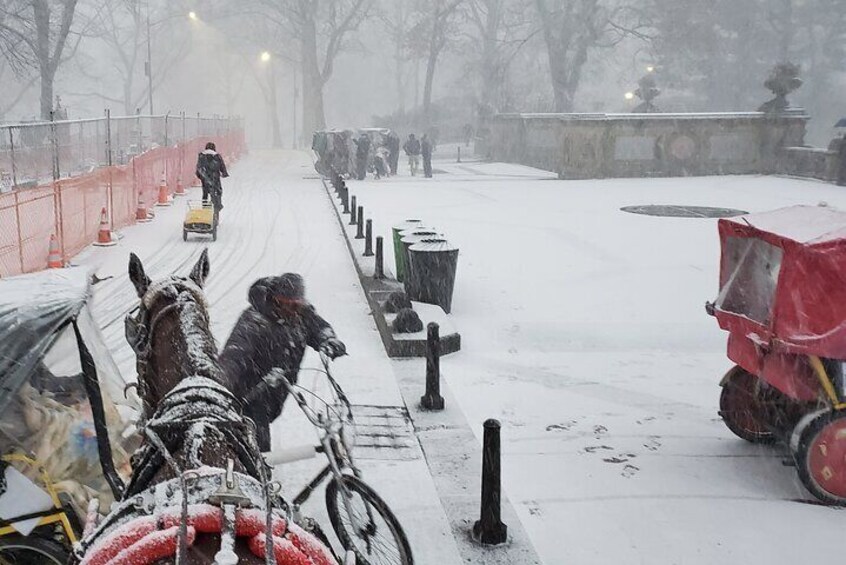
point(363, 522)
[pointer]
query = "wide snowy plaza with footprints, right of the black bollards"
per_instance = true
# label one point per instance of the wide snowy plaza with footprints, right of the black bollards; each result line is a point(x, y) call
point(584, 332)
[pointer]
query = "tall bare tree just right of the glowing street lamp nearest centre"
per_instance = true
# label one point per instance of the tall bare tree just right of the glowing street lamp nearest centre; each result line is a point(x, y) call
point(322, 29)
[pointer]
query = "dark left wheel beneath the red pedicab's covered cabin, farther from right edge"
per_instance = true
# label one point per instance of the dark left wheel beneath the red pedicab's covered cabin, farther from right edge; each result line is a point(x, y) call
point(741, 409)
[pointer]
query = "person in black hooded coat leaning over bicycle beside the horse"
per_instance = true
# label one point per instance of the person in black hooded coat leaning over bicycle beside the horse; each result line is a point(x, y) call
point(273, 332)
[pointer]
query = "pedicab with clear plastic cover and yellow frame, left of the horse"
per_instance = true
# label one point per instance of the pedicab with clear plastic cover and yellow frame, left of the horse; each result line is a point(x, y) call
point(58, 417)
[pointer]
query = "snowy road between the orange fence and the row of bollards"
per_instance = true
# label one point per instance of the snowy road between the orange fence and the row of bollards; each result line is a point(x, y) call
point(277, 218)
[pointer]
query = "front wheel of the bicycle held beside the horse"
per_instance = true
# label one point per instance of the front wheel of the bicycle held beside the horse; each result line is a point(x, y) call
point(380, 539)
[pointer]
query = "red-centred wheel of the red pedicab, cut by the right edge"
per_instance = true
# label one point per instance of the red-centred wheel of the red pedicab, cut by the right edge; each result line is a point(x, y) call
point(821, 456)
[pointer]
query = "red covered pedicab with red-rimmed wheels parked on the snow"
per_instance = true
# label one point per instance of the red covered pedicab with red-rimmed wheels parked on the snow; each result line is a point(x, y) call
point(783, 301)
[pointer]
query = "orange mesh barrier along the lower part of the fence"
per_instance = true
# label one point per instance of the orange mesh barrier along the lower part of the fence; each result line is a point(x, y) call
point(70, 208)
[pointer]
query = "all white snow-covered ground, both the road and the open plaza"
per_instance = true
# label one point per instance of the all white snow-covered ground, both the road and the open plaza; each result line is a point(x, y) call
point(583, 331)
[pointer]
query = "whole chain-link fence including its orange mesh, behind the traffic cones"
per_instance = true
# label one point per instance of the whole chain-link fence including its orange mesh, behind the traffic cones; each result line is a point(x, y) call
point(56, 177)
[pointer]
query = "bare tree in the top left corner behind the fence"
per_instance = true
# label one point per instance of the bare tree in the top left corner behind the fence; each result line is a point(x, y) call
point(34, 34)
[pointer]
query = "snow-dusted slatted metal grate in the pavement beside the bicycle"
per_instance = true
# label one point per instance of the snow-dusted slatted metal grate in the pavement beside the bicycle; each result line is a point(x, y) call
point(384, 432)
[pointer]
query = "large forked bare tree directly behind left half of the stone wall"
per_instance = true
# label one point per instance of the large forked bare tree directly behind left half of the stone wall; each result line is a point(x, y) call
point(572, 29)
